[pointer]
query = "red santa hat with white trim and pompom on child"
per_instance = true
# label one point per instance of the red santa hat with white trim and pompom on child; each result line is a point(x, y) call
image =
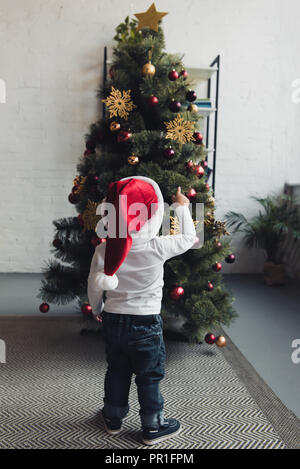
point(144, 224)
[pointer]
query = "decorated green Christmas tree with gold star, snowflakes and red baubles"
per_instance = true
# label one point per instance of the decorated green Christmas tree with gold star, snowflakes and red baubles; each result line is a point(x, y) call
point(150, 128)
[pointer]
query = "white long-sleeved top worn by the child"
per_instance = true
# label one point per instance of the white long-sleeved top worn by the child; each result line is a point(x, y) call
point(140, 276)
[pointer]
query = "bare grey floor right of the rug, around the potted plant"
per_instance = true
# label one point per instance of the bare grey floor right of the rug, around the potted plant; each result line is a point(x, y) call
point(269, 321)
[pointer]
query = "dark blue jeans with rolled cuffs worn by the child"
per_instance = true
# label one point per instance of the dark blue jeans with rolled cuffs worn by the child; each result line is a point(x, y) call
point(134, 345)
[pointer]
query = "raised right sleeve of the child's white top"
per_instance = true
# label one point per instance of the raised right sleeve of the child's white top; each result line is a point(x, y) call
point(173, 245)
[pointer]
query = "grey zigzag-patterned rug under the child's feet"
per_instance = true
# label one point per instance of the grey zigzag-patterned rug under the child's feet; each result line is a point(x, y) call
point(51, 391)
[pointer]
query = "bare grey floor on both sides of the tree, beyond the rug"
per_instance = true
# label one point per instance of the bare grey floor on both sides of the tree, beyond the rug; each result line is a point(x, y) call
point(269, 320)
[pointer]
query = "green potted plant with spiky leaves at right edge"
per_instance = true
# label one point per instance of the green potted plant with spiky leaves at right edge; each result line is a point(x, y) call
point(277, 219)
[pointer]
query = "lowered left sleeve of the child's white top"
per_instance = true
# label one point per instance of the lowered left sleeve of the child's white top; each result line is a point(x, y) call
point(95, 294)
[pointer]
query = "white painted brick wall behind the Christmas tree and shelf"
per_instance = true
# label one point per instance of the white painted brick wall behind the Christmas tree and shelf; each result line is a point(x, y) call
point(51, 61)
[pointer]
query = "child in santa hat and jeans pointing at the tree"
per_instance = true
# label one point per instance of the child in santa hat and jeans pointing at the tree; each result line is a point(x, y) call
point(131, 318)
